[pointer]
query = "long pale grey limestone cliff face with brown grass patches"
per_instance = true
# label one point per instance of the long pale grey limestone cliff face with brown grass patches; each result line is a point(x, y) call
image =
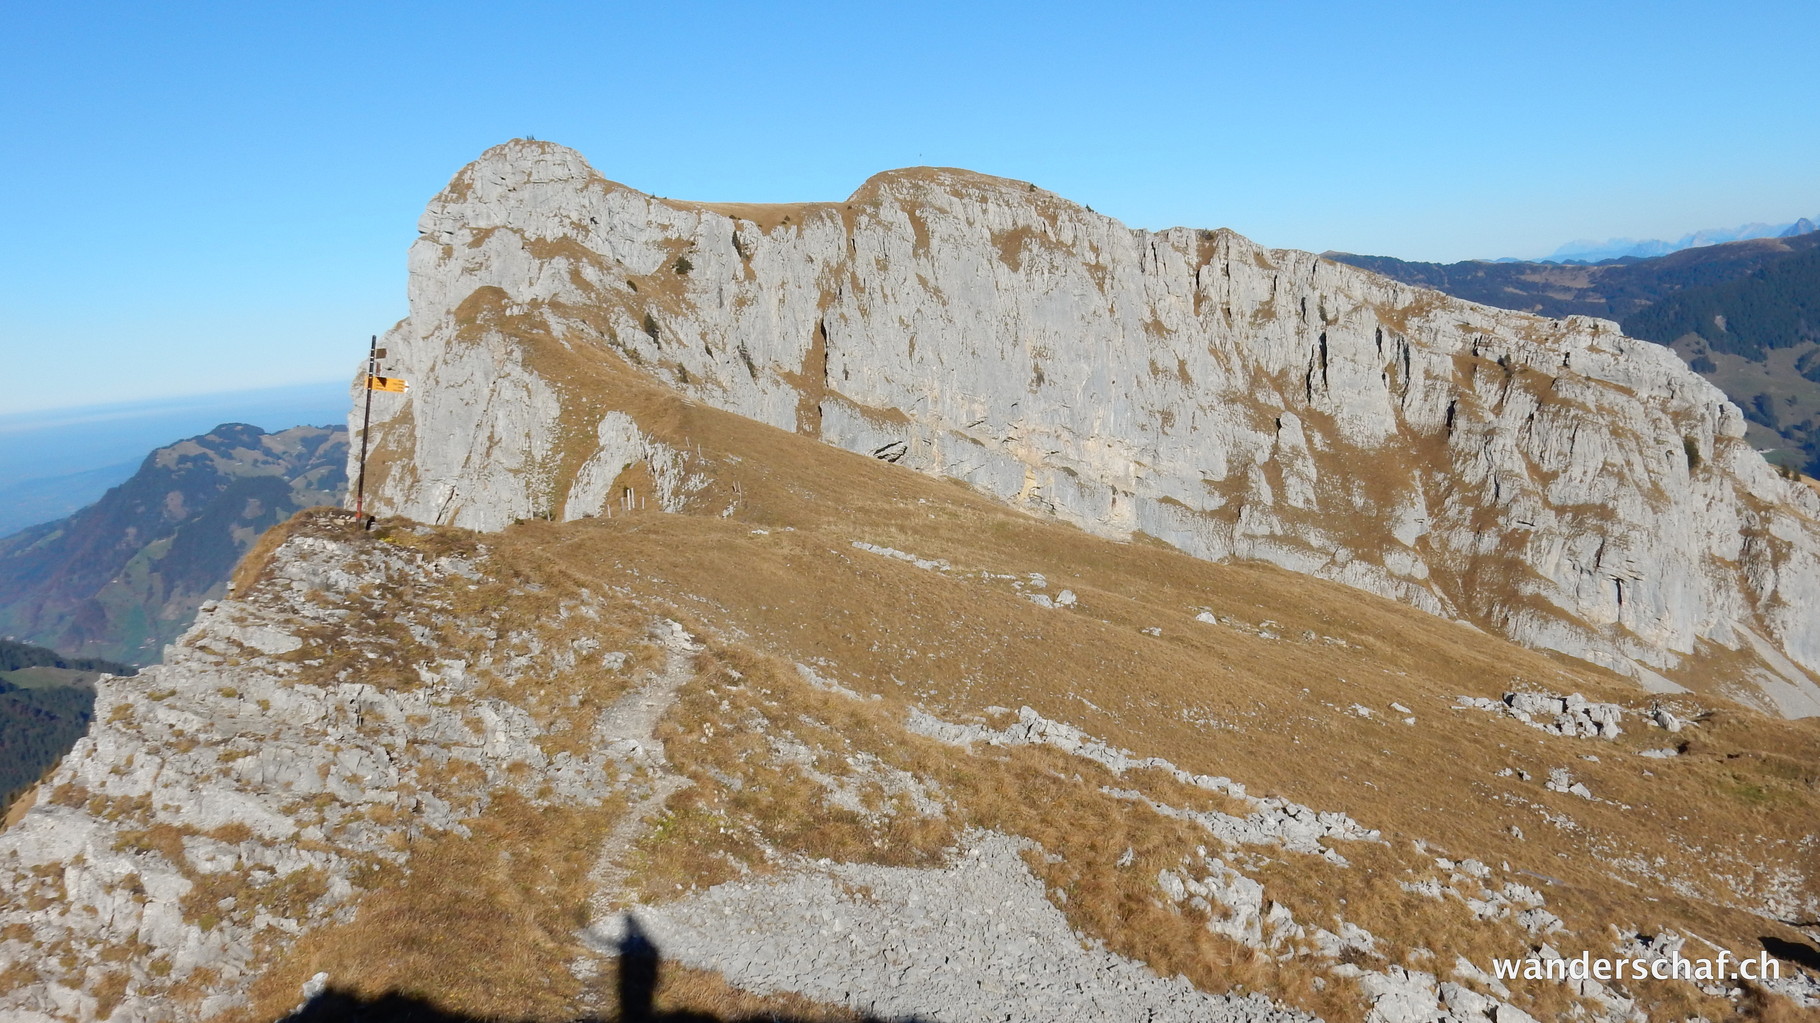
point(1553, 481)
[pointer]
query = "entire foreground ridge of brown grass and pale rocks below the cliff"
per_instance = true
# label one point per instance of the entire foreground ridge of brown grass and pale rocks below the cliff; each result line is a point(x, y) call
point(381, 720)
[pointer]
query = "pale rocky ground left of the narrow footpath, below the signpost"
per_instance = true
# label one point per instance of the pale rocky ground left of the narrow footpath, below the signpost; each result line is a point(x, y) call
point(239, 795)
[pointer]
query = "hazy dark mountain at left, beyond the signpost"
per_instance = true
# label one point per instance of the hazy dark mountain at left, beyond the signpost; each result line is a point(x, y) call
point(125, 576)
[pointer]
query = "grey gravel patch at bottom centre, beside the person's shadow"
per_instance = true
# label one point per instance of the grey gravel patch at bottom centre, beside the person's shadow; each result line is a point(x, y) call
point(973, 942)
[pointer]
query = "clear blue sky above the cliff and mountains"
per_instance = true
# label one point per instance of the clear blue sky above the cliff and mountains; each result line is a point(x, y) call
point(219, 198)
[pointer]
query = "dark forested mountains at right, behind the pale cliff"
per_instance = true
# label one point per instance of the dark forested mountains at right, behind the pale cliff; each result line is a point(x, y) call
point(1743, 314)
